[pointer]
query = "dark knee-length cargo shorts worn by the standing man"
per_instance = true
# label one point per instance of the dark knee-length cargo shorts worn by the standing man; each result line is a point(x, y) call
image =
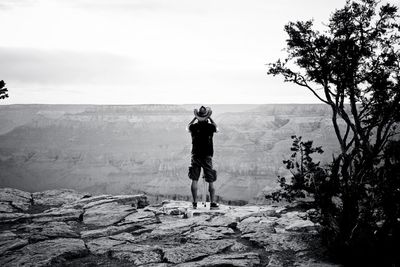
point(210, 175)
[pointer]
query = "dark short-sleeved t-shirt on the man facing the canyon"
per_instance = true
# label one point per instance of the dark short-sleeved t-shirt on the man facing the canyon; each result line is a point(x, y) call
point(202, 134)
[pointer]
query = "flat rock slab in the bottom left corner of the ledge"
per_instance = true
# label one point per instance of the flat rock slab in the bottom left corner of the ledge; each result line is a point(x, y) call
point(45, 253)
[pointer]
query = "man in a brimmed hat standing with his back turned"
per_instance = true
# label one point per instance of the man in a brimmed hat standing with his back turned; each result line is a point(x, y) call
point(202, 152)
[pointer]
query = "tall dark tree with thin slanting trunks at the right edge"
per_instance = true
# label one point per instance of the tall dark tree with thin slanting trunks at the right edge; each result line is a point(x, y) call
point(354, 67)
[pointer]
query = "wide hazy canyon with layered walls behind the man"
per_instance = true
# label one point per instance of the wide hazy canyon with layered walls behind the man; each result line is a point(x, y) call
point(131, 149)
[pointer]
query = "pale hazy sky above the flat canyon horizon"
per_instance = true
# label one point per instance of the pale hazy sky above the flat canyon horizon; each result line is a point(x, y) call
point(149, 51)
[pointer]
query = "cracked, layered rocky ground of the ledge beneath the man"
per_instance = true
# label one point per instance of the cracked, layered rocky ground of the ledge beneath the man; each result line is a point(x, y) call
point(68, 228)
